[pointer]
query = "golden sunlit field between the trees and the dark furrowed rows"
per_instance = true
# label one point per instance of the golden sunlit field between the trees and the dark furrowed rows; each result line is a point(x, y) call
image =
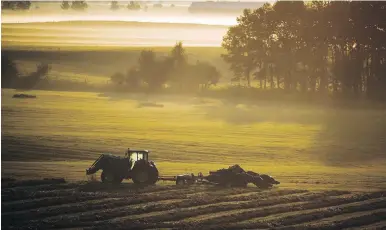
point(62, 133)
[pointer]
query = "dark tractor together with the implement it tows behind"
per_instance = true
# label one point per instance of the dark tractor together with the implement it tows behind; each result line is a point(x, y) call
point(135, 166)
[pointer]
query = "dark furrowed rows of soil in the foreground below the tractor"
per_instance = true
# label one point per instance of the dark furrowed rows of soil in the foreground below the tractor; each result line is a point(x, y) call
point(59, 205)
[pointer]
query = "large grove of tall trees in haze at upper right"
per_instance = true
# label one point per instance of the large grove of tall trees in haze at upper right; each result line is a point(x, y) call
point(336, 47)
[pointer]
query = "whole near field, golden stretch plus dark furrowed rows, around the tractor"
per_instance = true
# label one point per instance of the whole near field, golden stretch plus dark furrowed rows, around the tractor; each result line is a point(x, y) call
point(330, 162)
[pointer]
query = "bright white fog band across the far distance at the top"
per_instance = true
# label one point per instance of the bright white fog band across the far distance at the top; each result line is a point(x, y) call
point(51, 12)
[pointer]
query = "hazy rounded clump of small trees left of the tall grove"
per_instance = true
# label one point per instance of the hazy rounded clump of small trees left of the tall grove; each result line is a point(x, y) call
point(172, 71)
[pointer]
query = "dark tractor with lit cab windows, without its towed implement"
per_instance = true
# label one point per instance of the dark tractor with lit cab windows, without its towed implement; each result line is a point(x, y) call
point(135, 165)
